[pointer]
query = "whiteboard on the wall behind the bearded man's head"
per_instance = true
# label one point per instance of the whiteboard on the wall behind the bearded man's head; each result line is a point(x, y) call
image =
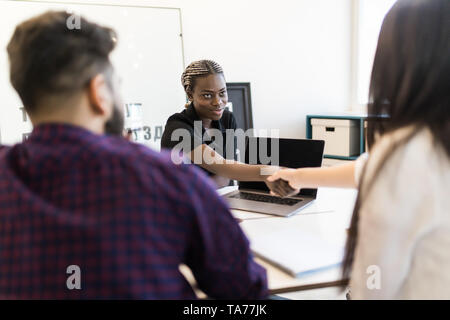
point(148, 58)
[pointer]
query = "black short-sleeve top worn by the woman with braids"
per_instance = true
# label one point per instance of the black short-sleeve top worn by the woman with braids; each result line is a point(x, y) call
point(187, 119)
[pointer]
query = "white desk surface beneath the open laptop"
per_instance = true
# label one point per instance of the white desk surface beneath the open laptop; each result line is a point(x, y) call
point(328, 217)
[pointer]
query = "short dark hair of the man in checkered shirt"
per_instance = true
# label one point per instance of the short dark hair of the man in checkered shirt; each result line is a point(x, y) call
point(48, 58)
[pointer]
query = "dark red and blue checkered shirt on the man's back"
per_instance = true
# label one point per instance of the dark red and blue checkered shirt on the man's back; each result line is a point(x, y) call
point(125, 215)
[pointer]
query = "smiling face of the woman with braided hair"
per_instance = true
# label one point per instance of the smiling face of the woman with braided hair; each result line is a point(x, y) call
point(210, 96)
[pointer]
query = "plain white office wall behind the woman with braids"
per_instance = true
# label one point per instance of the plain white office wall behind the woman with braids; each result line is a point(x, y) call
point(295, 53)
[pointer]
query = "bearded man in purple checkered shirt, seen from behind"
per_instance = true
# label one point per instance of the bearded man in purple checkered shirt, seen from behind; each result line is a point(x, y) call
point(89, 215)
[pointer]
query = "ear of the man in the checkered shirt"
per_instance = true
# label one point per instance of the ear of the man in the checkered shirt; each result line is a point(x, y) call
point(100, 96)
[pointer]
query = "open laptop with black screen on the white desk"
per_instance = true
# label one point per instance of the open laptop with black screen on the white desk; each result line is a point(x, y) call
point(293, 153)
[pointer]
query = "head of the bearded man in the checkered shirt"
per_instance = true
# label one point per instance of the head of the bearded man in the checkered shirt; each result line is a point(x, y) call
point(51, 66)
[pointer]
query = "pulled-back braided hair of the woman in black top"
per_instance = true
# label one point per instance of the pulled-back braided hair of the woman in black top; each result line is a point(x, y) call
point(198, 69)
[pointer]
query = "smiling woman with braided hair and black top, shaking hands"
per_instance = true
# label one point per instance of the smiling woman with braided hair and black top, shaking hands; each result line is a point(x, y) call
point(205, 87)
